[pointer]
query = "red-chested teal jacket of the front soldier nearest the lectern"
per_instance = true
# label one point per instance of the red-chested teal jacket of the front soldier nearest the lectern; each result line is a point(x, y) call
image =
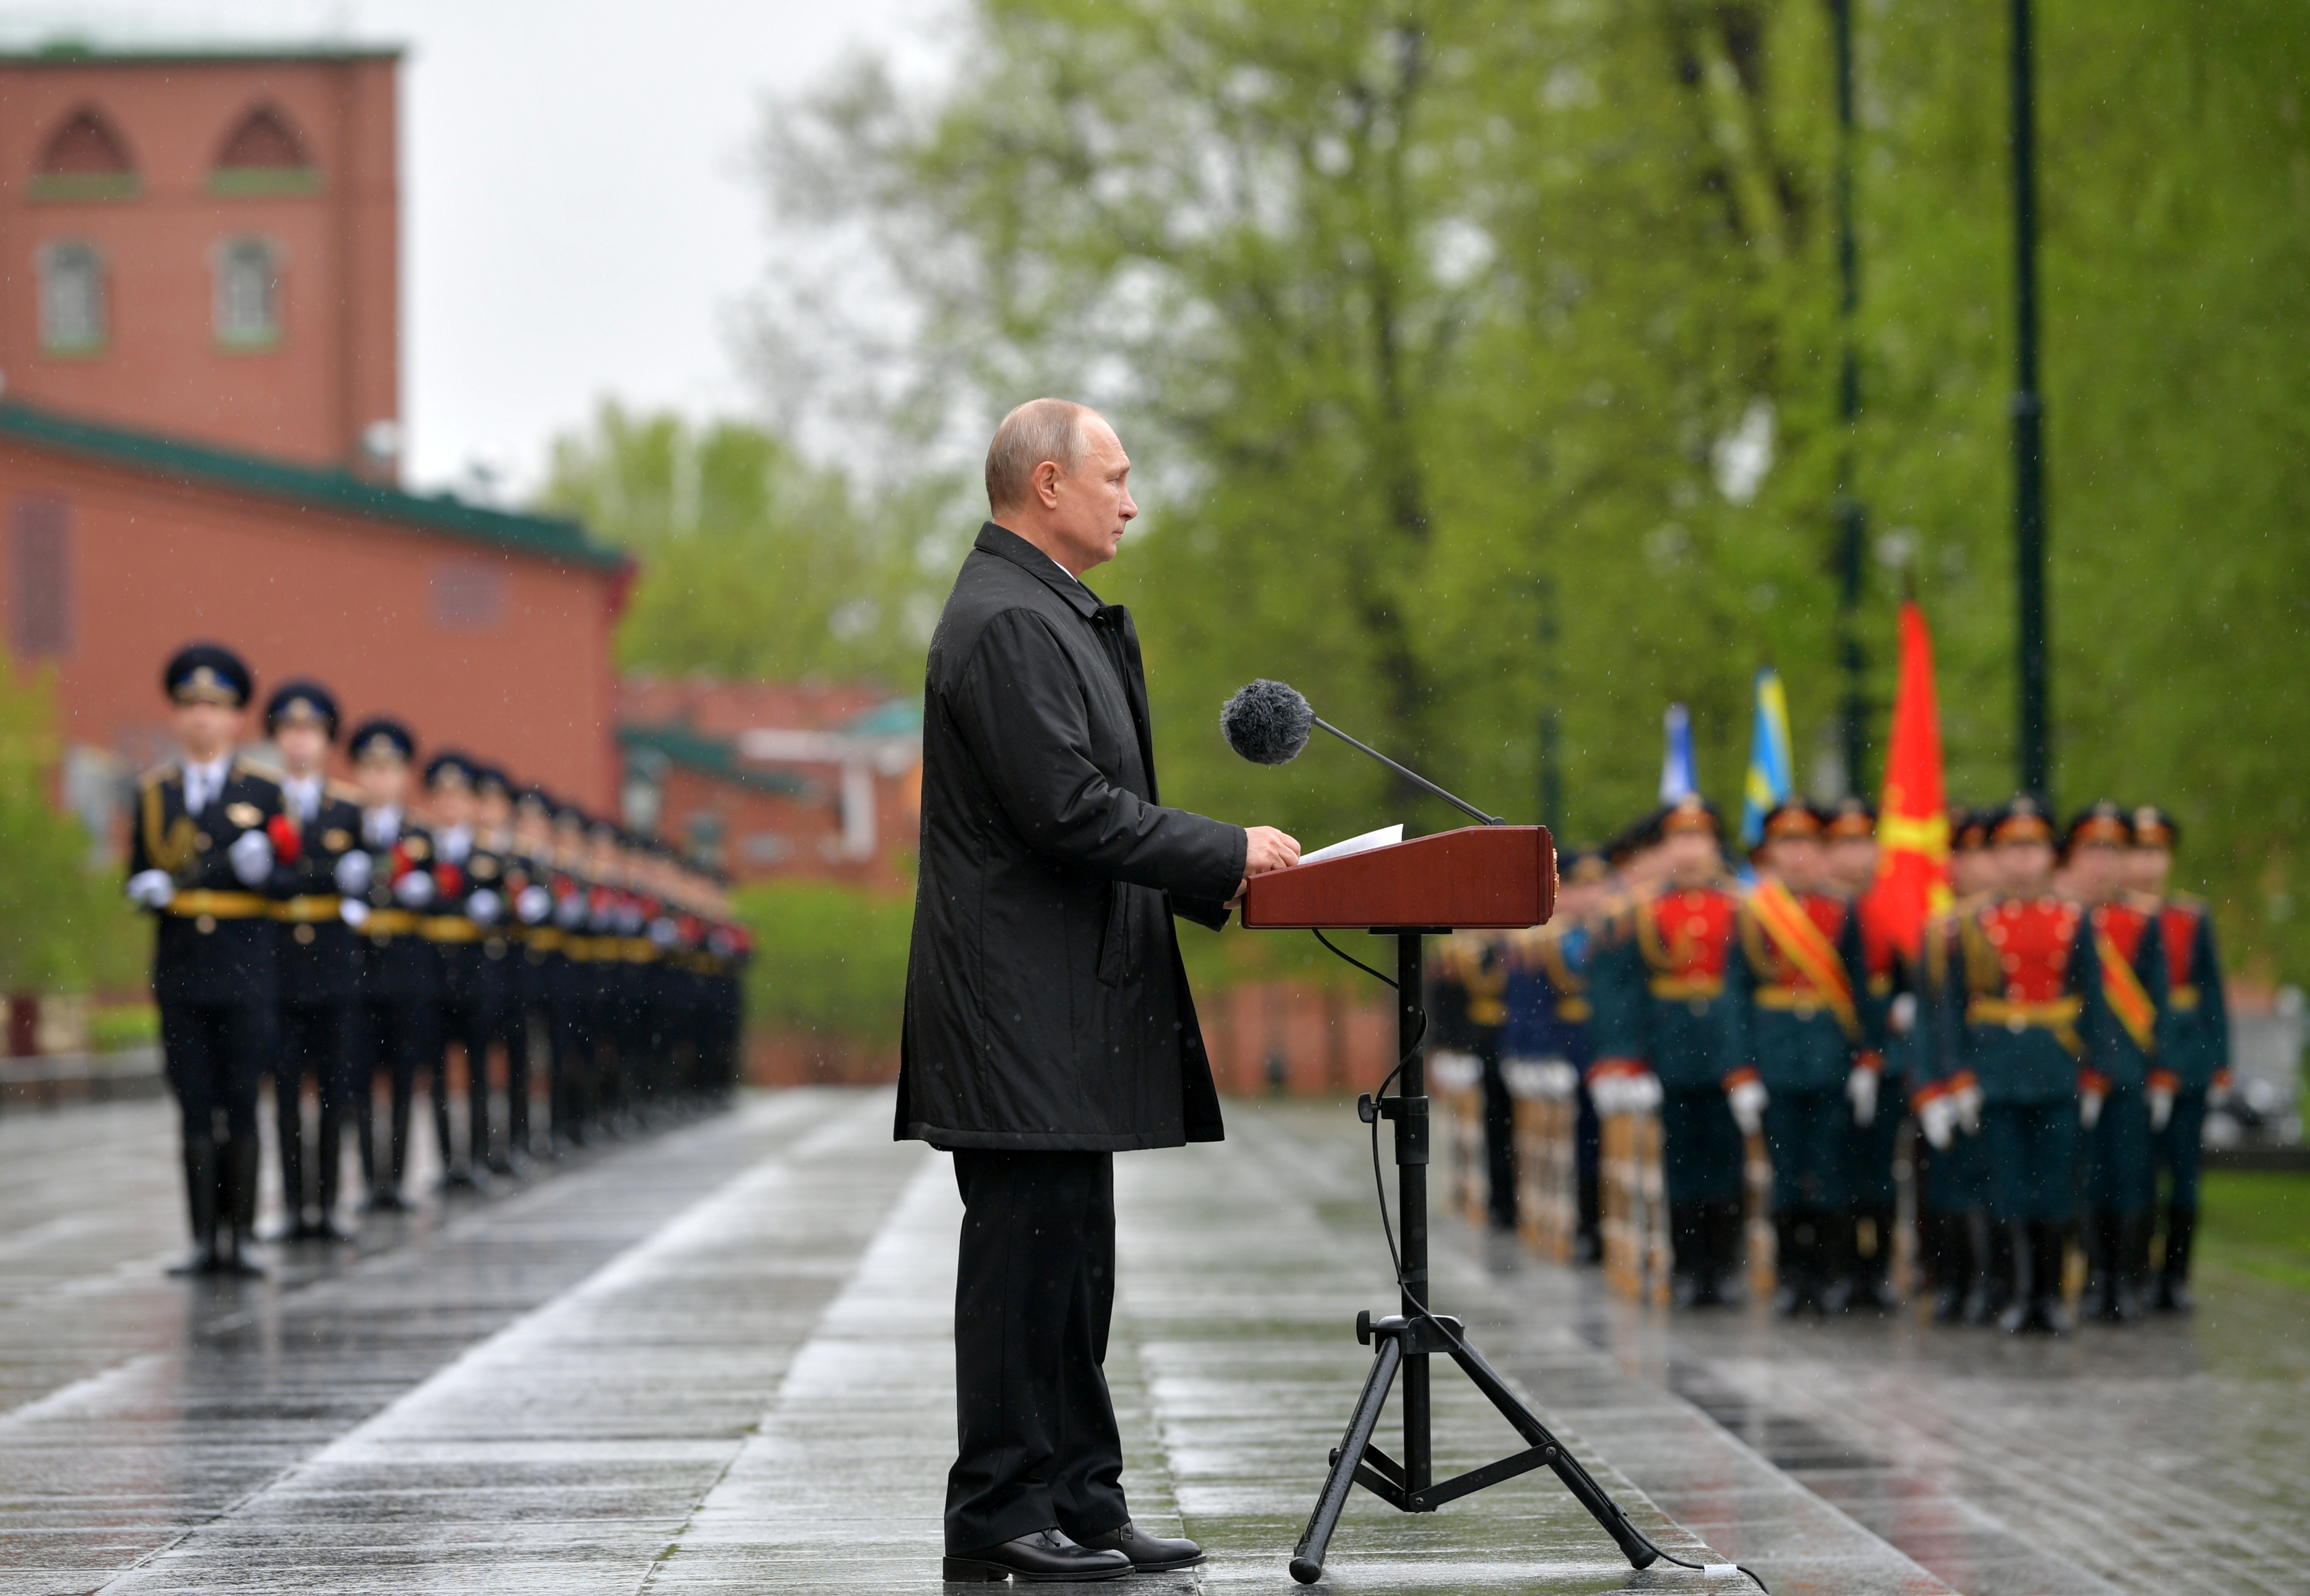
point(1662, 987)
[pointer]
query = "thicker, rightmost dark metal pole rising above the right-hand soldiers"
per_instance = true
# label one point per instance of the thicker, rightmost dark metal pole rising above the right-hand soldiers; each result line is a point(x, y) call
point(2034, 766)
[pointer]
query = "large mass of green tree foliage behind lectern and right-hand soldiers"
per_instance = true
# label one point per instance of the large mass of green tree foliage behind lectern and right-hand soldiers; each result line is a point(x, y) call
point(1454, 341)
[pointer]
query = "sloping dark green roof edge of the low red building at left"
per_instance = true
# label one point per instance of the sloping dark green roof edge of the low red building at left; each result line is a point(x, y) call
point(542, 537)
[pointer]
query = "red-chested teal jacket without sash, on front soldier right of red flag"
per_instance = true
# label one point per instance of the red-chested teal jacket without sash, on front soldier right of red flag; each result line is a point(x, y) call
point(2022, 980)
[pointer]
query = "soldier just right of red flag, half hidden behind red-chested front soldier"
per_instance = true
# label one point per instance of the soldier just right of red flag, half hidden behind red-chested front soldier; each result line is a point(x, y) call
point(1953, 1172)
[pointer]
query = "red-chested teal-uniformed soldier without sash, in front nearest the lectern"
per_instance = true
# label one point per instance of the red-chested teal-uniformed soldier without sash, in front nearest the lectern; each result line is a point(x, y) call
point(1664, 1013)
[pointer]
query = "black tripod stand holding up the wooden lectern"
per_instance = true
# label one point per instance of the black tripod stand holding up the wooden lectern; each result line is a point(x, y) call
point(1408, 1341)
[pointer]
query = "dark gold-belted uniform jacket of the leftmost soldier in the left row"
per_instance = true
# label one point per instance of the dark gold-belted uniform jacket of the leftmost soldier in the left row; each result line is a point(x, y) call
point(216, 939)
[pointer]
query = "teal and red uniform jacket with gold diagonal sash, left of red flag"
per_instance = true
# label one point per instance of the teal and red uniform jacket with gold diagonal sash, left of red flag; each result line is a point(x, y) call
point(1801, 1017)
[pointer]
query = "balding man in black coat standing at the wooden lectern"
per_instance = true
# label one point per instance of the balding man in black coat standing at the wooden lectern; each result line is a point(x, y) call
point(1048, 1013)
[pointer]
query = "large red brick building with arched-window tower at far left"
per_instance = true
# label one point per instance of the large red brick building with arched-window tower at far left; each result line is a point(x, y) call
point(200, 322)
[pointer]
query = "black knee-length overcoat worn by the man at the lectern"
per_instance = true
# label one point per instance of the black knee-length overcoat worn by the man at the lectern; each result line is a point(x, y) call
point(1045, 999)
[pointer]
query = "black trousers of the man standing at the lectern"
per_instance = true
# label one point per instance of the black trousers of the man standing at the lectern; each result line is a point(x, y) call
point(1031, 1308)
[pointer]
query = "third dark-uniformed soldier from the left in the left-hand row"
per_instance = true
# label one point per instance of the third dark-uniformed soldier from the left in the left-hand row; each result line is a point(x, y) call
point(401, 980)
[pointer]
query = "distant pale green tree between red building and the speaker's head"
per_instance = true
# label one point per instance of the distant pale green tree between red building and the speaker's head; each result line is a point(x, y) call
point(754, 565)
